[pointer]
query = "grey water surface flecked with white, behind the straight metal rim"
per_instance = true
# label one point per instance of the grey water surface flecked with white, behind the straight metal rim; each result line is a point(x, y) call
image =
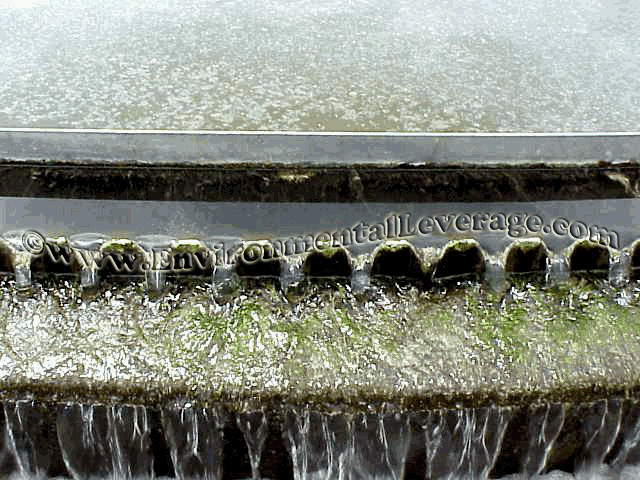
point(360, 65)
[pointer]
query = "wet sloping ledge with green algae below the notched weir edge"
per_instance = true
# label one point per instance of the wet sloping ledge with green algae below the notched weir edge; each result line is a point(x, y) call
point(319, 342)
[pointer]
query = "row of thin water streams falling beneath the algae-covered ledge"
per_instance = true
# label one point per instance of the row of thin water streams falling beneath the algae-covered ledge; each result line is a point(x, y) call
point(113, 442)
